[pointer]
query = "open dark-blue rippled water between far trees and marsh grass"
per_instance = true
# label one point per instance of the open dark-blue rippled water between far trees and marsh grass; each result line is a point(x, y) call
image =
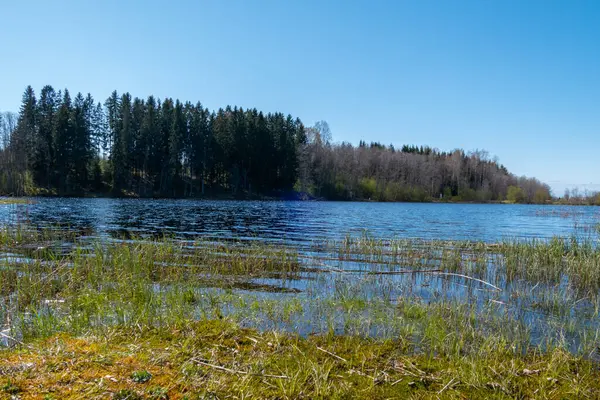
point(301, 222)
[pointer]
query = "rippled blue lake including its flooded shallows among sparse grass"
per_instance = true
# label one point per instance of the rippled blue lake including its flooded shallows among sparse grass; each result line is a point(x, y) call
point(360, 287)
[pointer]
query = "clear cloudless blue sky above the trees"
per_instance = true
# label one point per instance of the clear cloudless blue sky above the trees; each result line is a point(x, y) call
point(520, 79)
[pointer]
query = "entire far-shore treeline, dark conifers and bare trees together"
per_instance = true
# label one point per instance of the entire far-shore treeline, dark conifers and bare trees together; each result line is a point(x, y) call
point(126, 146)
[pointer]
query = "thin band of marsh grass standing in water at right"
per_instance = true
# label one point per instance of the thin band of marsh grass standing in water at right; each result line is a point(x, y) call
point(574, 262)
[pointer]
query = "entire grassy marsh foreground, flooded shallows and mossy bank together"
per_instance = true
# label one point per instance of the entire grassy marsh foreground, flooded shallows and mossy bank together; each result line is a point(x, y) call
point(357, 318)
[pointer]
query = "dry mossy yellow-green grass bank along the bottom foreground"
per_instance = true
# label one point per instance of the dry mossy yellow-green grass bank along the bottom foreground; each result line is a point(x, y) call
point(217, 359)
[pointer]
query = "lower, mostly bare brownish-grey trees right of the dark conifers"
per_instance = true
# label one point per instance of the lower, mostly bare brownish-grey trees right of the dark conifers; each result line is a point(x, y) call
point(414, 173)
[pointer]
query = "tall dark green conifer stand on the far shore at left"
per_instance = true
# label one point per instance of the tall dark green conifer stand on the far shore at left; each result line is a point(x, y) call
point(130, 146)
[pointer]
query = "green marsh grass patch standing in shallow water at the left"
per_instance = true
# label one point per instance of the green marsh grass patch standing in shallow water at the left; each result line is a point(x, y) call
point(128, 283)
